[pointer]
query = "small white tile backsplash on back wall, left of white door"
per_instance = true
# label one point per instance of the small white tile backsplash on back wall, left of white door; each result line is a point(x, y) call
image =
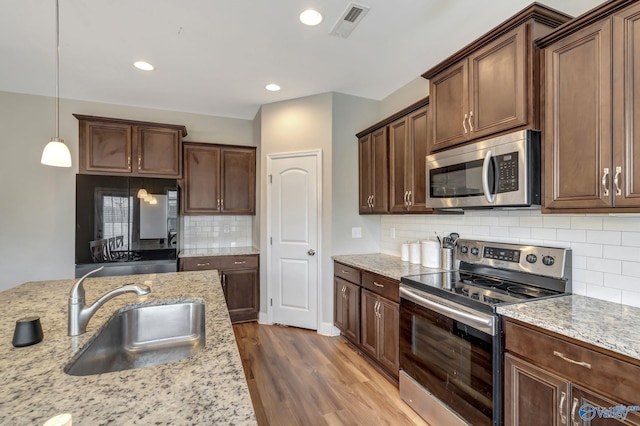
point(206, 232)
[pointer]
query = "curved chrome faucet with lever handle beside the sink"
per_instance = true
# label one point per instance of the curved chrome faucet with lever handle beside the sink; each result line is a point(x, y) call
point(79, 314)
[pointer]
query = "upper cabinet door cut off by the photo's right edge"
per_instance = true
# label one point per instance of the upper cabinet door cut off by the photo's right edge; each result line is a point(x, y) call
point(626, 107)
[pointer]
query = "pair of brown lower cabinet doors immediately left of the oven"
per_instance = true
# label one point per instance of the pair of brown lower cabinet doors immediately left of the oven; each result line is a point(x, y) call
point(380, 328)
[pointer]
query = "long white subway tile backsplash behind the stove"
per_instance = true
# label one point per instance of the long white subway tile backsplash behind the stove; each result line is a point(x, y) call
point(606, 248)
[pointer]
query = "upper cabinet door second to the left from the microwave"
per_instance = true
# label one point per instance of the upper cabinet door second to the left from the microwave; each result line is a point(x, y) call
point(400, 166)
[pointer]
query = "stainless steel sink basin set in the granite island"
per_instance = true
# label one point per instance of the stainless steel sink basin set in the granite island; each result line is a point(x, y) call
point(142, 337)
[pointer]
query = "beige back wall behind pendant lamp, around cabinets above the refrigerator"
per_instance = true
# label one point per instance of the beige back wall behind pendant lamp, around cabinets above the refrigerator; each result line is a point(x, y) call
point(37, 207)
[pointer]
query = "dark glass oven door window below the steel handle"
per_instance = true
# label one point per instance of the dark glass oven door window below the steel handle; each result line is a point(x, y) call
point(451, 360)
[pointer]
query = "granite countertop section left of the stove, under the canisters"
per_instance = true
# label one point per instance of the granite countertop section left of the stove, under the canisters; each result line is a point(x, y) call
point(384, 264)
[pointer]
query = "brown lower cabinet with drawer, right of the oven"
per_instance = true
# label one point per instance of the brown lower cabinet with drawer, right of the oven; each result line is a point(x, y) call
point(553, 381)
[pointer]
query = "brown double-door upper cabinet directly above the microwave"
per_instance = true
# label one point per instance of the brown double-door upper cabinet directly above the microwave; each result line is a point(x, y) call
point(490, 86)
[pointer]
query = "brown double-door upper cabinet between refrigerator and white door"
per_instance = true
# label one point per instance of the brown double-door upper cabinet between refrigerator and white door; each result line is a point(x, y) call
point(219, 179)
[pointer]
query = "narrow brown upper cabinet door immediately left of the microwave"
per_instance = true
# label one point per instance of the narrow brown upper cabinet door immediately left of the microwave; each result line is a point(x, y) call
point(418, 124)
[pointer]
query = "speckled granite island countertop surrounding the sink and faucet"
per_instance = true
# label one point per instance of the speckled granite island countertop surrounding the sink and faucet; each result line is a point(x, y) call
point(207, 388)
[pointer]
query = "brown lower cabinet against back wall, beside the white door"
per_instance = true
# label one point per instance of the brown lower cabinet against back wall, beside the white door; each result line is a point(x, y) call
point(240, 282)
